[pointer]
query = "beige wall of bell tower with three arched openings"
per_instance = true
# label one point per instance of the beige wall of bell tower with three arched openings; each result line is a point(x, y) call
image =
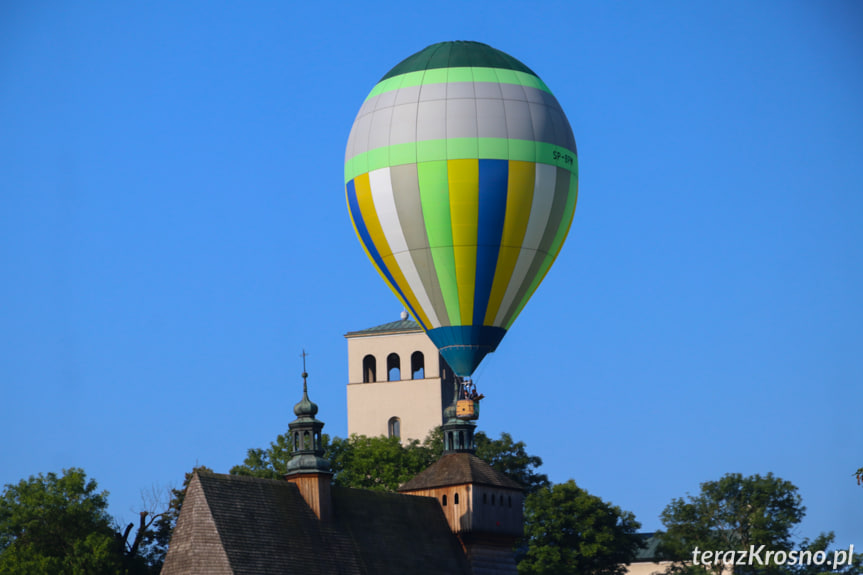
point(416, 402)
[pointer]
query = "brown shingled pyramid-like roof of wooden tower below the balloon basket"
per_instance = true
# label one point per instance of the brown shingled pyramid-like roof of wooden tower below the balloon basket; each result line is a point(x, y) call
point(459, 469)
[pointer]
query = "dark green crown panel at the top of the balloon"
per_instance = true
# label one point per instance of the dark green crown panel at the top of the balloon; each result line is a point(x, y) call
point(456, 55)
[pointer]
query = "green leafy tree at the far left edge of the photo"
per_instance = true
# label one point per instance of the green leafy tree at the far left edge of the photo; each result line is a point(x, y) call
point(57, 524)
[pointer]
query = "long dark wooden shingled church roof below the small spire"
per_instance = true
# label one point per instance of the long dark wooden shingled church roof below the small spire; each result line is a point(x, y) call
point(233, 525)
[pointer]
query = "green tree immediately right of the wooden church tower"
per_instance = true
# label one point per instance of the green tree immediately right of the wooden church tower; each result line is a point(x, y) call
point(570, 531)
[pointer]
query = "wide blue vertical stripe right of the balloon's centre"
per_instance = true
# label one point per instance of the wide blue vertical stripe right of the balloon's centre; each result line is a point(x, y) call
point(493, 182)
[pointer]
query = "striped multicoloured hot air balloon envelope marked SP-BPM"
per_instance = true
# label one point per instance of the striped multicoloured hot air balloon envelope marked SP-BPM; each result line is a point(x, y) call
point(461, 179)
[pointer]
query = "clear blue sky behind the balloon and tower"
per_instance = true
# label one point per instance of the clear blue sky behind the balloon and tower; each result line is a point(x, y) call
point(173, 232)
